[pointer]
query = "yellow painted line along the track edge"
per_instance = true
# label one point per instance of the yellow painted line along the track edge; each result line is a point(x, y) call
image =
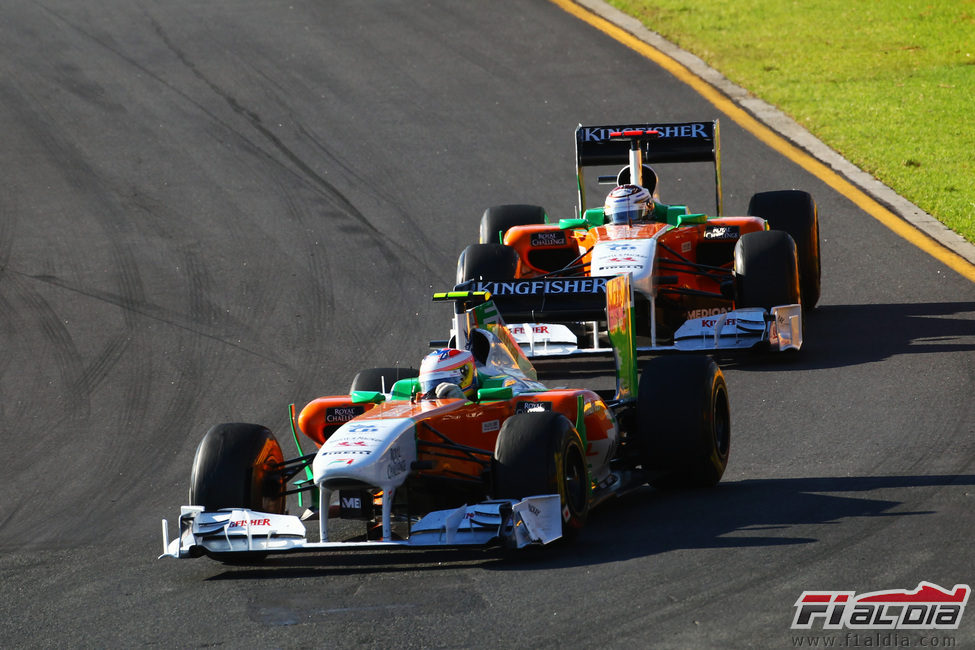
point(766, 135)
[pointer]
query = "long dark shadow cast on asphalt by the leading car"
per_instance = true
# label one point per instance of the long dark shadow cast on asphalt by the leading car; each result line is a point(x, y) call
point(647, 522)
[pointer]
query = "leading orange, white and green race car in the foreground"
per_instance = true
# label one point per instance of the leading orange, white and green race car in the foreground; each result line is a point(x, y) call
point(515, 464)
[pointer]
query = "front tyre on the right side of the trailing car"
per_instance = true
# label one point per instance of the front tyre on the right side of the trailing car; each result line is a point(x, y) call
point(766, 270)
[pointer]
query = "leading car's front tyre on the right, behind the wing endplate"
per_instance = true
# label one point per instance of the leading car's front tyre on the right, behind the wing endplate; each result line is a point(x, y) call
point(542, 453)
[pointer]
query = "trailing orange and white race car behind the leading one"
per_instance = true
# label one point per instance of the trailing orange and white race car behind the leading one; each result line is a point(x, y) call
point(702, 282)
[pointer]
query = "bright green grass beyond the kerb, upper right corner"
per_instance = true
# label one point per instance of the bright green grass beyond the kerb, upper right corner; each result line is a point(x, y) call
point(889, 84)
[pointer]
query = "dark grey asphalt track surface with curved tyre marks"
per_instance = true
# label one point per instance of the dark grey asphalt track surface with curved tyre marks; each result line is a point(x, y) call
point(213, 209)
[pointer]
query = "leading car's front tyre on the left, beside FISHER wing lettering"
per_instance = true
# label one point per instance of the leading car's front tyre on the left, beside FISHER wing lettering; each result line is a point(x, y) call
point(236, 467)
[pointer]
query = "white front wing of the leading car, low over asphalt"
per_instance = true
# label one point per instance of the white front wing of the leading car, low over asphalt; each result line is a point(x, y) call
point(532, 520)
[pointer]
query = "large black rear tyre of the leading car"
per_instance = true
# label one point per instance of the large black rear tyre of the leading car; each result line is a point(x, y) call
point(684, 421)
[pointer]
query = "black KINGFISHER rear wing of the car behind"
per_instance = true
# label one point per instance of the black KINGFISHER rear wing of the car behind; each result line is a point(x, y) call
point(671, 142)
